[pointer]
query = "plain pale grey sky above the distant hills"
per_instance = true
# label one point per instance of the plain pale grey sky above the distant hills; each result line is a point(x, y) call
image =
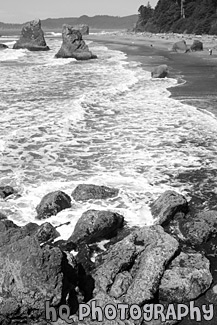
point(20, 11)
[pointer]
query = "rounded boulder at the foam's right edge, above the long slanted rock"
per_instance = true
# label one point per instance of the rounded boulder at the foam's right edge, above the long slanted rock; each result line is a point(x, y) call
point(167, 205)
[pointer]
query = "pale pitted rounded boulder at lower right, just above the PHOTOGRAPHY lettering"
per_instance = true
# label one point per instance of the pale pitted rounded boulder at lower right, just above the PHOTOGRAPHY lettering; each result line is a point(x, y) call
point(186, 279)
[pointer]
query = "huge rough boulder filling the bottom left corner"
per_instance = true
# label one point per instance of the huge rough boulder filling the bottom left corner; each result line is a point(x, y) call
point(29, 275)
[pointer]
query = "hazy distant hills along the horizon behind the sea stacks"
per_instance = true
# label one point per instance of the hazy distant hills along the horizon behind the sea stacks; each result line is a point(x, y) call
point(98, 22)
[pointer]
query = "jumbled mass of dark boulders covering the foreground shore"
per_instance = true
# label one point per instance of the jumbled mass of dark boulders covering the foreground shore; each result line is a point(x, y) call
point(170, 262)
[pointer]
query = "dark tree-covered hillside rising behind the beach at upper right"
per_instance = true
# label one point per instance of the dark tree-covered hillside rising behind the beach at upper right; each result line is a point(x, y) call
point(189, 16)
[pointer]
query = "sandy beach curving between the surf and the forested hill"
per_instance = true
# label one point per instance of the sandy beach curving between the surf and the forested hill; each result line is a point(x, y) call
point(195, 72)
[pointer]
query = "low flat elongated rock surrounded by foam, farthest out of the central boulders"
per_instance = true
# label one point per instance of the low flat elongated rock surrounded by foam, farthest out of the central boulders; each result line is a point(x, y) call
point(85, 192)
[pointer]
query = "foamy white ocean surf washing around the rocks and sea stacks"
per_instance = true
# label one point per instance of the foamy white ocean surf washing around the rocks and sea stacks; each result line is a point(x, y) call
point(107, 122)
